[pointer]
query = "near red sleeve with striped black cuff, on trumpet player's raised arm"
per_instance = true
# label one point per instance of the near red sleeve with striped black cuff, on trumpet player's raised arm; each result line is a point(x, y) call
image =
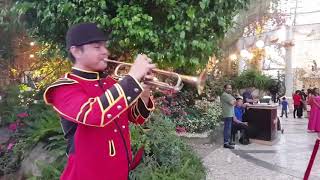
point(70, 100)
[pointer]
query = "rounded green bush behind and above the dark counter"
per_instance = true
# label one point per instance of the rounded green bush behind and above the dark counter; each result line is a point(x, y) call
point(252, 78)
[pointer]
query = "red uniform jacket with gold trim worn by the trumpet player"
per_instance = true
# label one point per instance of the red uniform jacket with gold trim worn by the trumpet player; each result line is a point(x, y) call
point(95, 111)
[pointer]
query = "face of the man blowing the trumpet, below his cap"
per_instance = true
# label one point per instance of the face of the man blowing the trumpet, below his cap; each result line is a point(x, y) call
point(91, 56)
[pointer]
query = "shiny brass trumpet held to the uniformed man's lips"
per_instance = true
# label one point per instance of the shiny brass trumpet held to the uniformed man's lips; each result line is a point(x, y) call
point(198, 82)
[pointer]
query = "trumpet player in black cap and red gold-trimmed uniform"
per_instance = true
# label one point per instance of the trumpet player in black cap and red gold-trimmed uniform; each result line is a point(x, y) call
point(95, 109)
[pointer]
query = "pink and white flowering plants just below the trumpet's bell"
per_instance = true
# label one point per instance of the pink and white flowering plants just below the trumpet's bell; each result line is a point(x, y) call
point(189, 115)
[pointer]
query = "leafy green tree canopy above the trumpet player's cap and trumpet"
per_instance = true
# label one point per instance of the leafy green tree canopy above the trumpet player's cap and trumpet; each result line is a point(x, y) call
point(180, 34)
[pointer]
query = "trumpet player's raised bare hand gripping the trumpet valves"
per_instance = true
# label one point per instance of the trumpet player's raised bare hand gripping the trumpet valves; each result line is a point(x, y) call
point(141, 67)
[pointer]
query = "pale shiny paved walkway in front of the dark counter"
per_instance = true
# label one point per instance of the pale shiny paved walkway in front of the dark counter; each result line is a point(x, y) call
point(286, 160)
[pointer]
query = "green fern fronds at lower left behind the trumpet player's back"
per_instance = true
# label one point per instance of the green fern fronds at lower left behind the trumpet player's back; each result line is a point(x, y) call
point(42, 126)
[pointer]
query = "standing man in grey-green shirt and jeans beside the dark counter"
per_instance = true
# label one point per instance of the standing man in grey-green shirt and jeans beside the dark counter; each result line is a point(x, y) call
point(227, 103)
